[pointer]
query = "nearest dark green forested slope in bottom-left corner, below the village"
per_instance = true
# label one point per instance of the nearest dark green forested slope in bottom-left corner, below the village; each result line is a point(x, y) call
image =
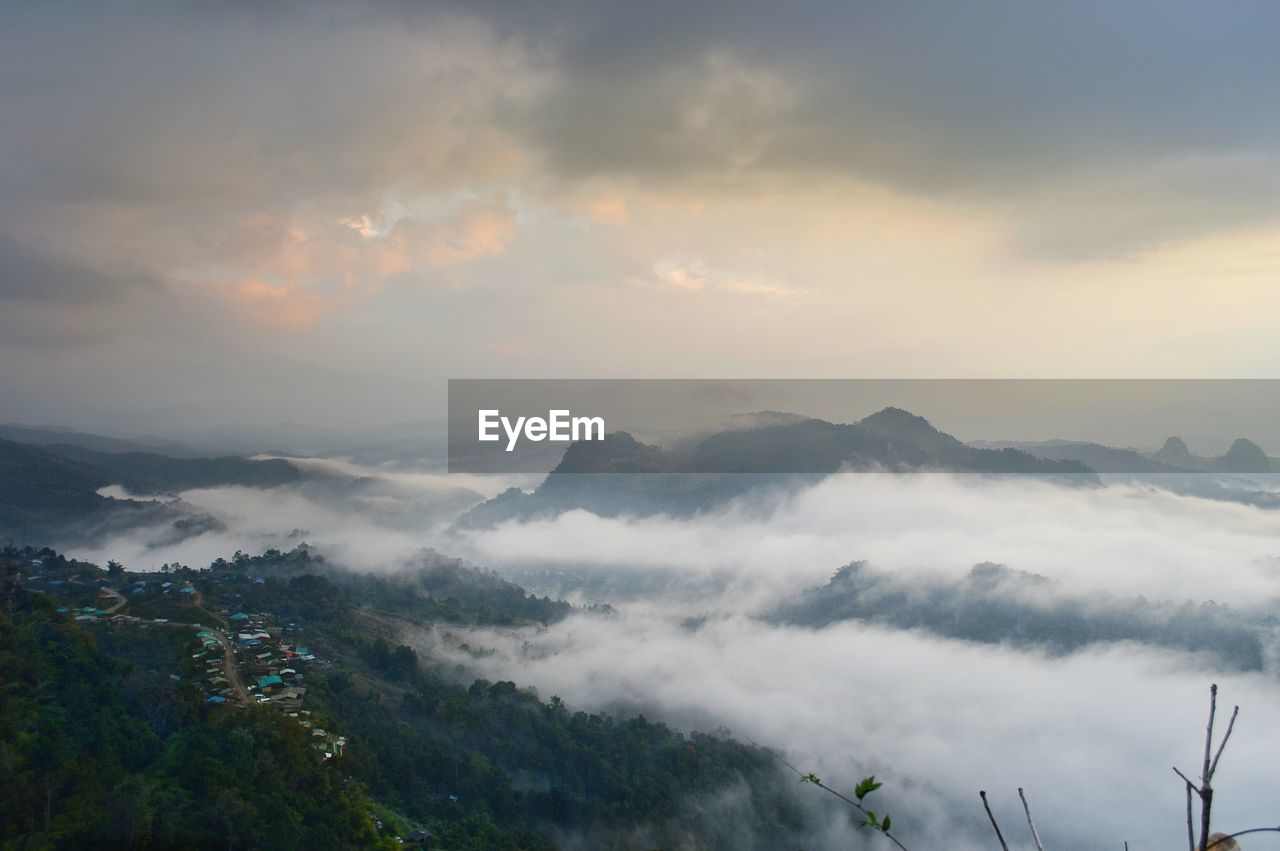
point(100, 754)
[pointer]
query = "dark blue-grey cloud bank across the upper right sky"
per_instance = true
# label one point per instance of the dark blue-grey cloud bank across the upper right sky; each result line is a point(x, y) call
point(1100, 129)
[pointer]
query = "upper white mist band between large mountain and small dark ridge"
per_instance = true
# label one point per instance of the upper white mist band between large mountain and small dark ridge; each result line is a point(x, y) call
point(1124, 539)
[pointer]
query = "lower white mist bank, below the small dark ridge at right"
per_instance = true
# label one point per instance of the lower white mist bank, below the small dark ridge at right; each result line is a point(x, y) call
point(1091, 735)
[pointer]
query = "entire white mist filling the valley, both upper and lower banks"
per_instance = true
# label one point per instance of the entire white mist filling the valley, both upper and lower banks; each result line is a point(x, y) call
point(1090, 731)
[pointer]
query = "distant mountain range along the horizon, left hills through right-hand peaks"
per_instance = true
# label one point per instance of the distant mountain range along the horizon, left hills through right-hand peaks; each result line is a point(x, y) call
point(52, 478)
